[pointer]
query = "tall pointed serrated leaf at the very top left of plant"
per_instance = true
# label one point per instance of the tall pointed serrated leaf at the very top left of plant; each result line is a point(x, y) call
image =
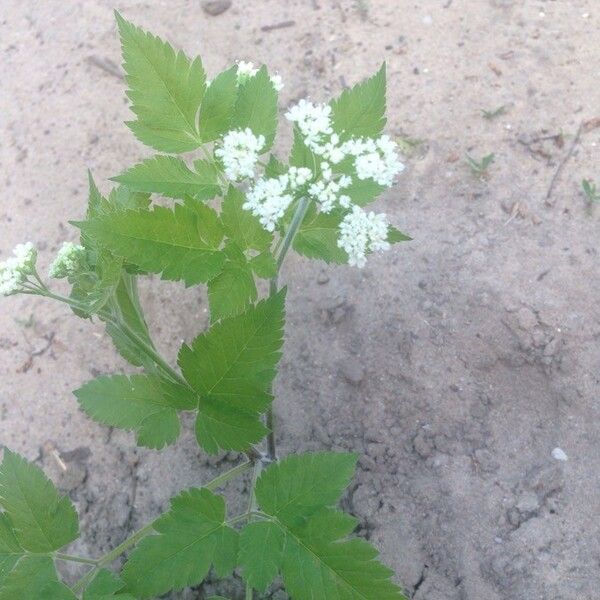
point(165, 89)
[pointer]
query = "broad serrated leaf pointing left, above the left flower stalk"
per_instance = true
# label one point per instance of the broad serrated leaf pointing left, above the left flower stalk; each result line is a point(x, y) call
point(174, 242)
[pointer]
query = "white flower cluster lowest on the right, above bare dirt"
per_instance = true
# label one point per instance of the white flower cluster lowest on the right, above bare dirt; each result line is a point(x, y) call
point(362, 232)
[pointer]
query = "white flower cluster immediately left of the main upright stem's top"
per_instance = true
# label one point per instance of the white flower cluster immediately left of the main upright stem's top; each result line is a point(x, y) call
point(270, 197)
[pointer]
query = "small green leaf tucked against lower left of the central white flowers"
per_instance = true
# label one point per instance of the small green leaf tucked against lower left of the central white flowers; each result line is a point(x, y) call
point(241, 225)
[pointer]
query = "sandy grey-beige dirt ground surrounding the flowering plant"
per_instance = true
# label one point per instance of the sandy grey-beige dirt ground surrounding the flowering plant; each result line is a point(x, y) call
point(455, 364)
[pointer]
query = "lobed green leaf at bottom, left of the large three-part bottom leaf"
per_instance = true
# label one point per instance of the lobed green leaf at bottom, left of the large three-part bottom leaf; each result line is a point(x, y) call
point(191, 536)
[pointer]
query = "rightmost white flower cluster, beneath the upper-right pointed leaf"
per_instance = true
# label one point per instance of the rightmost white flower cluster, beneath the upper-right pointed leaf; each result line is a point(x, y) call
point(375, 159)
